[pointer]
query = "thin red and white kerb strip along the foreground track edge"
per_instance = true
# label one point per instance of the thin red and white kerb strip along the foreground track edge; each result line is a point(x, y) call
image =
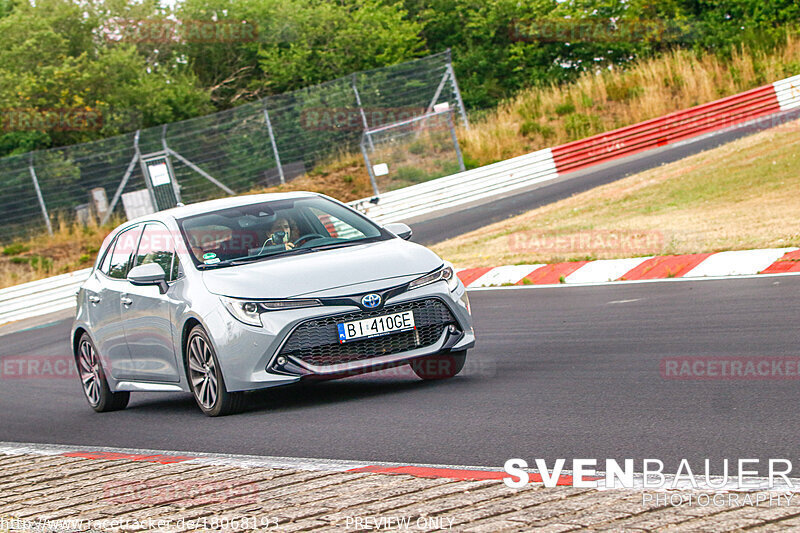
point(451, 472)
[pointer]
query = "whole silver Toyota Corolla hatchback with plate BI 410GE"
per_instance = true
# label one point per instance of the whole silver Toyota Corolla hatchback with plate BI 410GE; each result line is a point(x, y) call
point(239, 294)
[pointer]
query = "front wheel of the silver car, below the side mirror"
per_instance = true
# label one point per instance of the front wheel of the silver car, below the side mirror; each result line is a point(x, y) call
point(205, 377)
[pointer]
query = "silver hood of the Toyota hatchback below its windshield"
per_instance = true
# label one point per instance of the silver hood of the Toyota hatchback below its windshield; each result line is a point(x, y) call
point(326, 273)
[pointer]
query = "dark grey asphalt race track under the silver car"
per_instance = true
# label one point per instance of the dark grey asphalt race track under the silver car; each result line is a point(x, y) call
point(563, 372)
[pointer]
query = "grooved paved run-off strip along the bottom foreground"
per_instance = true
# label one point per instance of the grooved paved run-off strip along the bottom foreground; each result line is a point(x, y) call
point(76, 493)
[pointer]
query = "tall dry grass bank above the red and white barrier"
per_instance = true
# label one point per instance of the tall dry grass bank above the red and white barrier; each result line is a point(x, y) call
point(542, 117)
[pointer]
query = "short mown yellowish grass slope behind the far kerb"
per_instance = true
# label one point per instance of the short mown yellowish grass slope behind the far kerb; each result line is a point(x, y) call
point(743, 195)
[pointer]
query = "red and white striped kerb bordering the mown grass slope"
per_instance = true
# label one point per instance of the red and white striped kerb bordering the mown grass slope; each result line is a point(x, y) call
point(690, 266)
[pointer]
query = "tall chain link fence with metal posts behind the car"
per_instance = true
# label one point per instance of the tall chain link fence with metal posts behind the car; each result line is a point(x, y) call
point(258, 144)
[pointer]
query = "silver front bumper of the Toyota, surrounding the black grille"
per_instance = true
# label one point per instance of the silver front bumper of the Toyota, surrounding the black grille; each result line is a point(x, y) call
point(249, 356)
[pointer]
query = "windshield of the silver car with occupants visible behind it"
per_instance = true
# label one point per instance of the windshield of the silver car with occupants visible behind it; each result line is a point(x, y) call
point(259, 231)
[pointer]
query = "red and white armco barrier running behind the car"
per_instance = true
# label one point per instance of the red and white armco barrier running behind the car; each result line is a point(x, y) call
point(58, 293)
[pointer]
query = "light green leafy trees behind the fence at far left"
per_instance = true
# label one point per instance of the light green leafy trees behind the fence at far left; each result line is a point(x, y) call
point(54, 59)
